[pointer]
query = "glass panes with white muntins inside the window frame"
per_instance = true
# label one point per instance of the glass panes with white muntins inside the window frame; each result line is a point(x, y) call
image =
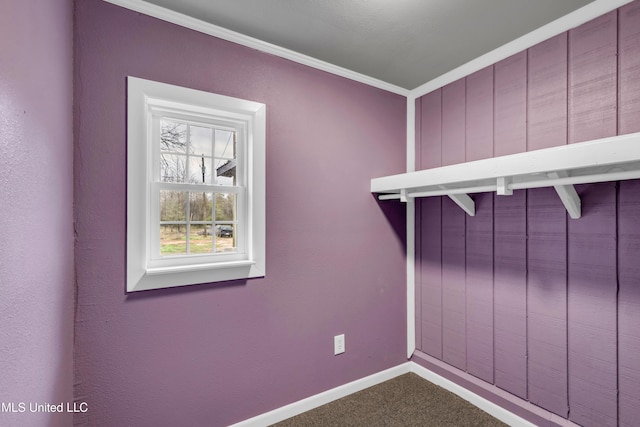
point(202, 219)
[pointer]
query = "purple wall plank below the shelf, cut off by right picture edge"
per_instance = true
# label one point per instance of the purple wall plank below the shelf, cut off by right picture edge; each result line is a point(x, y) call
point(629, 303)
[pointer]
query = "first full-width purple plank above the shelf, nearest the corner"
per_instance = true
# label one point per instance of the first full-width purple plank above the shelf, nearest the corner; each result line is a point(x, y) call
point(431, 130)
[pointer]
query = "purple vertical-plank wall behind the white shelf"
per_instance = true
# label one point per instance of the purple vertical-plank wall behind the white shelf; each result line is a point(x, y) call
point(519, 296)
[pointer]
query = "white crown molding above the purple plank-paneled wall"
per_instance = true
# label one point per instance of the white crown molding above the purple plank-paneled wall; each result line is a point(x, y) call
point(560, 25)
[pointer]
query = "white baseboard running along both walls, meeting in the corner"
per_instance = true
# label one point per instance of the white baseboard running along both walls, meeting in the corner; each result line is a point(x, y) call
point(328, 396)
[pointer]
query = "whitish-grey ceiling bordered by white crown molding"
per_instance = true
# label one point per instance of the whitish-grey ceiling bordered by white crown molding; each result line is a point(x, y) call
point(402, 42)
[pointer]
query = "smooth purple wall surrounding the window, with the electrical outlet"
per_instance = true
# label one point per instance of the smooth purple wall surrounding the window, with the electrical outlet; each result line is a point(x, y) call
point(216, 354)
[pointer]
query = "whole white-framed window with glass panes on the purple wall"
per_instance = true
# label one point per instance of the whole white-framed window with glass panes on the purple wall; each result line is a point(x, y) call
point(195, 187)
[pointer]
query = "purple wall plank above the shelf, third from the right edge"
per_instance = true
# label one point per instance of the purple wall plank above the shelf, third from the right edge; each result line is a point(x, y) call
point(547, 94)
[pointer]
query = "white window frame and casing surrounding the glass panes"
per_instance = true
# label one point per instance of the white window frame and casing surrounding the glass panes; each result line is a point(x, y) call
point(147, 99)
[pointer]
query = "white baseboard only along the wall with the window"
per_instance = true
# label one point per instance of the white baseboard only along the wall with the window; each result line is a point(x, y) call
point(323, 398)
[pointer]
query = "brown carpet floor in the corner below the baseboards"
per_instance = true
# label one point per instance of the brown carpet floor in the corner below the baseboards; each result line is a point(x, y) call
point(407, 400)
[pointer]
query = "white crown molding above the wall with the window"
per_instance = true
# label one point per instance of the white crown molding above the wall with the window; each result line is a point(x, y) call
point(241, 39)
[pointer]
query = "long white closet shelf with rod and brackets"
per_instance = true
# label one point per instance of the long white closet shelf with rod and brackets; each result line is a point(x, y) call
point(607, 159)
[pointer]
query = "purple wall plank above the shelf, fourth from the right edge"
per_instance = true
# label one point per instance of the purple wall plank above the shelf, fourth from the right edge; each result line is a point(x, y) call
point(510, 104)
